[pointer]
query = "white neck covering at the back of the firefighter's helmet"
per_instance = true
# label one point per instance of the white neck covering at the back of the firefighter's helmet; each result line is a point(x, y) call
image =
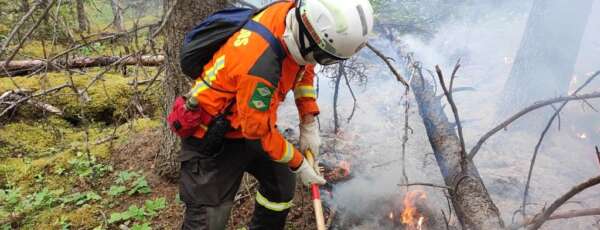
point(293, 40)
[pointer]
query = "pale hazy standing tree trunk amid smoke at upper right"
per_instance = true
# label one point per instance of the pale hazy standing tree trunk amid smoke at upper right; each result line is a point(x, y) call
point(545, 62)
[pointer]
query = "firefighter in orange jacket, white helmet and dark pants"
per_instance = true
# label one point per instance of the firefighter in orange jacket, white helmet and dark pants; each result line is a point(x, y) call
point(246, 81)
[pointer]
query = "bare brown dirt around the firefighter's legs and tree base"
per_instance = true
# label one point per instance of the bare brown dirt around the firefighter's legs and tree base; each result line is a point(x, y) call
point(139, 153)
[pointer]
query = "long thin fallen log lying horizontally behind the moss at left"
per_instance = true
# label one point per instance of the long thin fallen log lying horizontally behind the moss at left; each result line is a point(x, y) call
point(25, 67)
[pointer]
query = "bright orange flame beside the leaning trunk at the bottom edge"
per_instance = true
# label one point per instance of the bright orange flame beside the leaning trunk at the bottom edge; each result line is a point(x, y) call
point(411, 217)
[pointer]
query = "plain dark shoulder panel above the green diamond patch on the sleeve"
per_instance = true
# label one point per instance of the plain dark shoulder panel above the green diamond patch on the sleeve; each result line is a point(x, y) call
point(268, 67)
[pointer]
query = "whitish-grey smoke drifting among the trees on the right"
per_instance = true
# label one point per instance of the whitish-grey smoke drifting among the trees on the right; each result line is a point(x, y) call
point(486, 35)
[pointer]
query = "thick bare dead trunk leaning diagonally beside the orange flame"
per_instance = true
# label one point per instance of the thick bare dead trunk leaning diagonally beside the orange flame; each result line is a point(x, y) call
point(474, 207)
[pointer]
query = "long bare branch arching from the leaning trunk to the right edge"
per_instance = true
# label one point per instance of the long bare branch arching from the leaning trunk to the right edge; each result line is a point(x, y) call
point(527, 110)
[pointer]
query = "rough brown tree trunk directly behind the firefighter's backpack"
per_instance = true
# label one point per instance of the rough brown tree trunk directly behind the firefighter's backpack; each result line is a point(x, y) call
point(185, 15)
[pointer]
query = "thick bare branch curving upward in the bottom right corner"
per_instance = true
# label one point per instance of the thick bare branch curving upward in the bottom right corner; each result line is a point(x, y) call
point(545, 214)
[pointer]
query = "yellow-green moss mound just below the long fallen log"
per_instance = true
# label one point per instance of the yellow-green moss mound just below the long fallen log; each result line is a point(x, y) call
point(108, 100)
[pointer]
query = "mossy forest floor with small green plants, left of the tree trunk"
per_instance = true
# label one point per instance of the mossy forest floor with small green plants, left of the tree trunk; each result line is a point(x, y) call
point(67, 172)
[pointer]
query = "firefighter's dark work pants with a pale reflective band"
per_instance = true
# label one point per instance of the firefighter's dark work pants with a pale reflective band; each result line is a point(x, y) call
point(208, 185)
